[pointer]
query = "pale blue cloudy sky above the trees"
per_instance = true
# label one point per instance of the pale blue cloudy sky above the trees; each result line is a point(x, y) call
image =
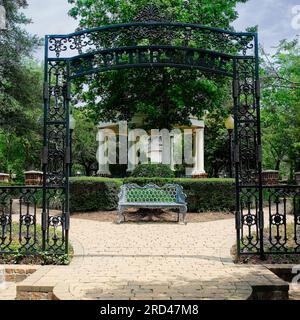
point(276, 19)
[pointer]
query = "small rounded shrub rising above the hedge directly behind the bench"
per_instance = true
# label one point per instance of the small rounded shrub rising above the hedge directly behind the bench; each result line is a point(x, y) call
point(153, 170)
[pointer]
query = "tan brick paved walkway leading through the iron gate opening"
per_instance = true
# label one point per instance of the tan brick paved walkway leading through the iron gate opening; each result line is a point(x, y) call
point(151, 261)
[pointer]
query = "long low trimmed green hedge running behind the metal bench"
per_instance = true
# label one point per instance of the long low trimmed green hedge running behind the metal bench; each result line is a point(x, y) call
point(92, 194)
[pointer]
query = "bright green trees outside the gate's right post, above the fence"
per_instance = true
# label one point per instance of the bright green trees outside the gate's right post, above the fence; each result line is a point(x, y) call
point(281, 108)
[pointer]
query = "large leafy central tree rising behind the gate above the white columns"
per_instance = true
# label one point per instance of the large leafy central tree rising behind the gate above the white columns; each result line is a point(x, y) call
point(165, 96)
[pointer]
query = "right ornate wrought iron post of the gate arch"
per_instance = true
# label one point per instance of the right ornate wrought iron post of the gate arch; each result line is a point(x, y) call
point(247, 155)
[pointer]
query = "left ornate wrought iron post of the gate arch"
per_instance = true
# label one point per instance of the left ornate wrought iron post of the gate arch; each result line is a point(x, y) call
point(55, 228)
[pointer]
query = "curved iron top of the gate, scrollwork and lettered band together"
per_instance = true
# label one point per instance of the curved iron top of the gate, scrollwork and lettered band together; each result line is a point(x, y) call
point(143, 44)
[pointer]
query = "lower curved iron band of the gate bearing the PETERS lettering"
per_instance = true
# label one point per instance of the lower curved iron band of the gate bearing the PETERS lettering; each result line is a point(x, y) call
point(151, 56)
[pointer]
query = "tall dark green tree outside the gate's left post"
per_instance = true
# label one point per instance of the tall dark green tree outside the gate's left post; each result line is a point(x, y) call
point(20, 94)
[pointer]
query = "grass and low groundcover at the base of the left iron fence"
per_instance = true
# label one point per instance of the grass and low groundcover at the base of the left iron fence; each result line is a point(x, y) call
point(20, 256)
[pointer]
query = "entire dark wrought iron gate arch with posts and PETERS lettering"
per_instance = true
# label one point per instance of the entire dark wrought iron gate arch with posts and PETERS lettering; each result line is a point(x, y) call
point(146, 44)
